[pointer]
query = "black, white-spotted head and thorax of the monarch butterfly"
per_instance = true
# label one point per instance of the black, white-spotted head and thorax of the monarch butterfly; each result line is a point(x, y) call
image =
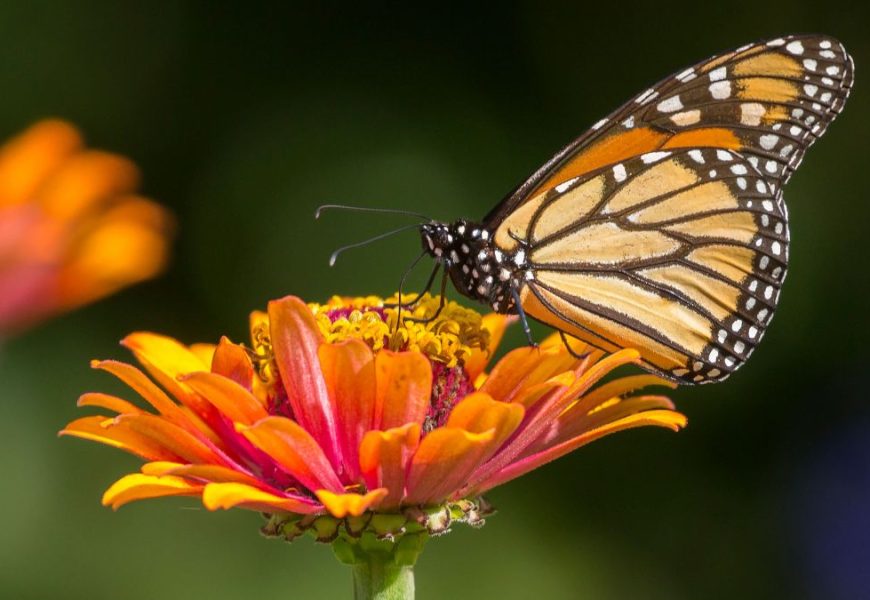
point(478, 269)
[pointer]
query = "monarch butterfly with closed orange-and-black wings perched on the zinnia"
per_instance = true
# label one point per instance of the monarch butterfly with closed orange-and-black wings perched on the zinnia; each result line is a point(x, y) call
point(663, 227)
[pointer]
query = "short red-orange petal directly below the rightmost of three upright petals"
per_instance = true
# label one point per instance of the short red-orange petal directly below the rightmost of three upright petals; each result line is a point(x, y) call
point(384, 458)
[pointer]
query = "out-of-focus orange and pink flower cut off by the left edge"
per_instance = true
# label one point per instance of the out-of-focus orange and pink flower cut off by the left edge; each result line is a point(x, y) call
point(71, 228)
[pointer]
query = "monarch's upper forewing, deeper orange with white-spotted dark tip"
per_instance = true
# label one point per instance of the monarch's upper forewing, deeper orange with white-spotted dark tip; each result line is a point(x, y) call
point(768, 101)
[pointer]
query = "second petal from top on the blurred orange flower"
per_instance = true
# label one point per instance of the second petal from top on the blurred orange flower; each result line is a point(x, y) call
point(85, 181)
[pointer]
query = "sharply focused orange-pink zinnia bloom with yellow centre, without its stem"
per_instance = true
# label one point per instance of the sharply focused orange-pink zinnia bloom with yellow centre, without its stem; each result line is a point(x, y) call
point(335, 410)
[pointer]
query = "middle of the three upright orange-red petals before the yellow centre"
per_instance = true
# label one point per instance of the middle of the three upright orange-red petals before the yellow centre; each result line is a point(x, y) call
point(349, 371)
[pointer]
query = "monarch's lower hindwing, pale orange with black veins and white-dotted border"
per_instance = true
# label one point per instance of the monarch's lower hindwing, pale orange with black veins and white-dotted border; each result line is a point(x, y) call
point(680, 254)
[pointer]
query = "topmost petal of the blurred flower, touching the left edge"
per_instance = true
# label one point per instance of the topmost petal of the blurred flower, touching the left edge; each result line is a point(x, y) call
point(28, 159)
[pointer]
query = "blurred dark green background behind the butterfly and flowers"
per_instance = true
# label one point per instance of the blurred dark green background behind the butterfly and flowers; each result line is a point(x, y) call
point(244, 118)
